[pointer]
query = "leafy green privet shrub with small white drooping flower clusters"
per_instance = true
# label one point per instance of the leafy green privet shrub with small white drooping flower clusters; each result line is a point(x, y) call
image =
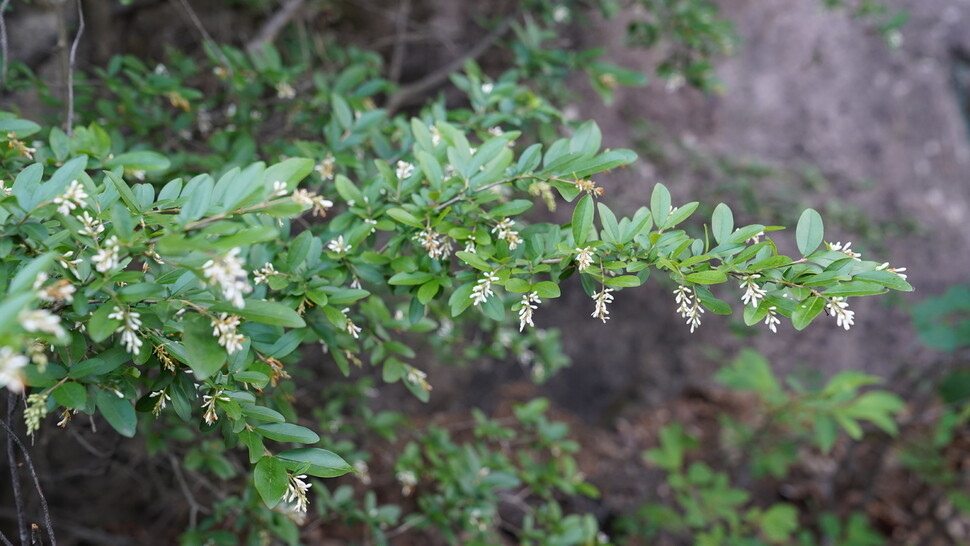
point(156, 285)
